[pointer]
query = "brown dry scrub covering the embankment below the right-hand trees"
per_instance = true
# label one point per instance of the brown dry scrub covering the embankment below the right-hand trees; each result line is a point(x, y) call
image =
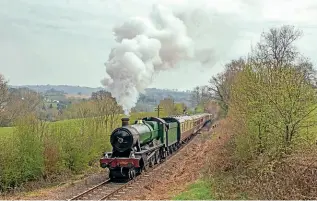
point(292, 177)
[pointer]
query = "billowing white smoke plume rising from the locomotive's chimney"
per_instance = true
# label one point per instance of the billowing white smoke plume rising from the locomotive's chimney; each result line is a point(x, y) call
point(145, 47)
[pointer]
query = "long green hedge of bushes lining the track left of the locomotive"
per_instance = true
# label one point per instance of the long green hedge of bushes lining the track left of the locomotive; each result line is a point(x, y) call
point(38, 149)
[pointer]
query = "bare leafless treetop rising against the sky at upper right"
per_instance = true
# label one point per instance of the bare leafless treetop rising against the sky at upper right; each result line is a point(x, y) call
point(277, 49)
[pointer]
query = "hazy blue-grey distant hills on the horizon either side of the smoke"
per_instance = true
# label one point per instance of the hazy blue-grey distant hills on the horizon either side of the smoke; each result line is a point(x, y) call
point(151, 97)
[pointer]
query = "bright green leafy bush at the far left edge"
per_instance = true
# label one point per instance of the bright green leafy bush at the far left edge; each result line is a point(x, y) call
point(22, 154)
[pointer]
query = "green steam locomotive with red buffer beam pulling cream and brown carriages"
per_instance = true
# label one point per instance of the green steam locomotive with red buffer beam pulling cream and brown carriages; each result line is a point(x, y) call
point(139, 146)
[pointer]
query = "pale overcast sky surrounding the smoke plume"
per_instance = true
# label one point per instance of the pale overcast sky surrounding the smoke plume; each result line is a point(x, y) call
point(68, 41)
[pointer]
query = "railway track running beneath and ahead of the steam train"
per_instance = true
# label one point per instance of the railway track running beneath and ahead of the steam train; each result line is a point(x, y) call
point(108, 190)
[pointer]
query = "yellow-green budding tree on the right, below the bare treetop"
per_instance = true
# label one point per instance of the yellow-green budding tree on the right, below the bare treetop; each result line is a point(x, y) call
point(274, 105)
